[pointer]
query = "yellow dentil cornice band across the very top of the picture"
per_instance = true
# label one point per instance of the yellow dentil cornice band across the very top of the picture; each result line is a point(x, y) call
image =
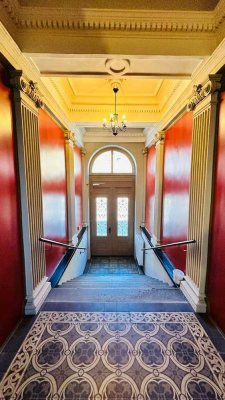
point(61, 18)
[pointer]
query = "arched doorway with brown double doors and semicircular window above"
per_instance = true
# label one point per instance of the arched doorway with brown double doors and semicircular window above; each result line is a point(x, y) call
point(112, 189)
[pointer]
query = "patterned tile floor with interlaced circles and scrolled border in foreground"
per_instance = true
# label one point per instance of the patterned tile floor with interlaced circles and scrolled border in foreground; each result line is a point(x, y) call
point(115, 356)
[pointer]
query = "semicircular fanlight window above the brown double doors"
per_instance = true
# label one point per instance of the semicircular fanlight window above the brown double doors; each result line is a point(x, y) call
point(112, 162)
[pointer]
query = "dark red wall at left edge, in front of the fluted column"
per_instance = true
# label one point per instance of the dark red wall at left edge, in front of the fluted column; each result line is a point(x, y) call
point(11, 264)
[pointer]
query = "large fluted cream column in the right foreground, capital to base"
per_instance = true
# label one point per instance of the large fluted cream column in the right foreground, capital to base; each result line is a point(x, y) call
point(205, 127)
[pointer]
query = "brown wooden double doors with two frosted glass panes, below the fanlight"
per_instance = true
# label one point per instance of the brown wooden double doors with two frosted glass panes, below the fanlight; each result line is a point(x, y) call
point(116, 237)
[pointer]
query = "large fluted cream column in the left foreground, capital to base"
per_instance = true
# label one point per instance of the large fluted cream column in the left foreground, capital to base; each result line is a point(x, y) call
point(26, 102)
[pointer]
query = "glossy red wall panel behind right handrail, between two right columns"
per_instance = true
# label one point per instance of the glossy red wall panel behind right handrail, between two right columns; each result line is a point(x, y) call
point(176, 180)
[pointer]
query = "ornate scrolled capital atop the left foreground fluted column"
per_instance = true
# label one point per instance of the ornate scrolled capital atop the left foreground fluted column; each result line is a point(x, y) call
point(29, 88)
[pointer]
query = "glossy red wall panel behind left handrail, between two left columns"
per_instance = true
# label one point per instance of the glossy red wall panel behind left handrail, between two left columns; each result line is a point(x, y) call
point(53, 171)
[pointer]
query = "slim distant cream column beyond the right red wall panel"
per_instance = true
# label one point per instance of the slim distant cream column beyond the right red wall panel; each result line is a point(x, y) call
point(159, 145)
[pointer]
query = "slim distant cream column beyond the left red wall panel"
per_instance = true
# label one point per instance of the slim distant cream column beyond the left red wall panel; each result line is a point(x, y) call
point(70, 181)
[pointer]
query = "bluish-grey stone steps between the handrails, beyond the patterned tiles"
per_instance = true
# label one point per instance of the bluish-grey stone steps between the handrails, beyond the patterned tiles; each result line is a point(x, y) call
point(116, 289)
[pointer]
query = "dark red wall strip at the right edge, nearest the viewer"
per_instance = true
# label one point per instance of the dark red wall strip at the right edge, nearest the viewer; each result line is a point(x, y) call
point(216, 278)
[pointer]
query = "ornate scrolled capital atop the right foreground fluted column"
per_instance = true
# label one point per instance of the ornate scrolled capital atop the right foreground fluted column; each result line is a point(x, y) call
point(200, 92)
